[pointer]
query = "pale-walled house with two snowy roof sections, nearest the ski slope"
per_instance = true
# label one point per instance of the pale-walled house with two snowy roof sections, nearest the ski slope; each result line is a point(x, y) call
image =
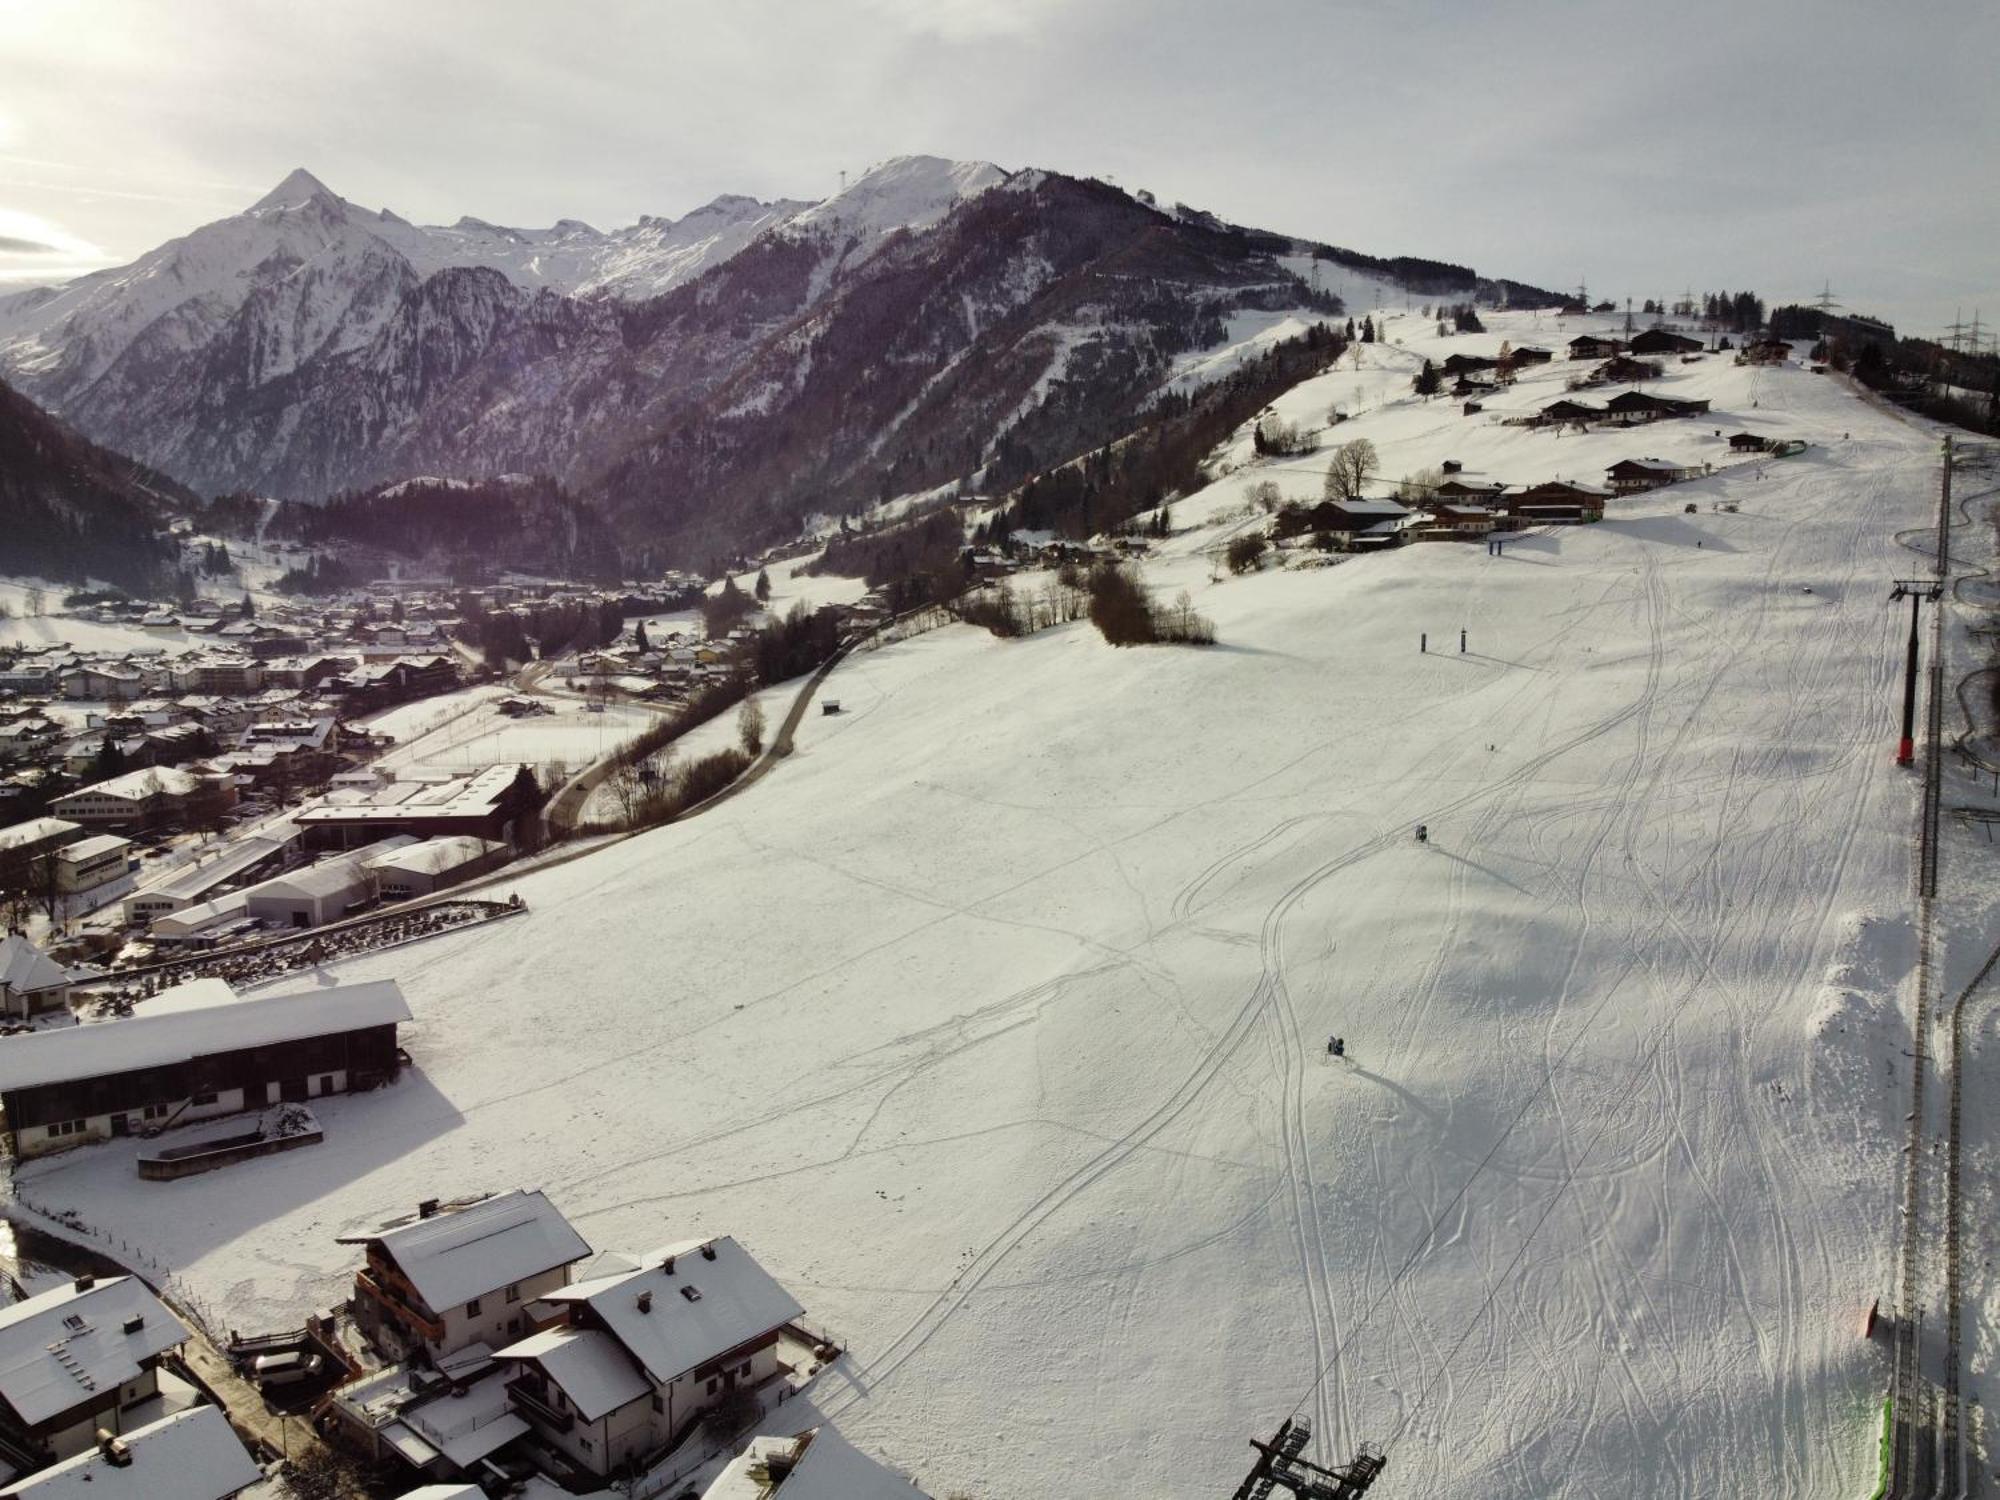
point(647, 1349)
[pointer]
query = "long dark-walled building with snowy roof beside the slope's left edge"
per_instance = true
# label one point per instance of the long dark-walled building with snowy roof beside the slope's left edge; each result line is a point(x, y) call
point(195, 1053)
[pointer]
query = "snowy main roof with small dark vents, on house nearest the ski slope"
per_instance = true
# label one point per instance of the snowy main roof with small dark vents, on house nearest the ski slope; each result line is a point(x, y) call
point(733, 1303)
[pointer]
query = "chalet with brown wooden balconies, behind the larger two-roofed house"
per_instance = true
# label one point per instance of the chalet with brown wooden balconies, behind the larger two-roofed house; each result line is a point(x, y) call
point(463, 1277)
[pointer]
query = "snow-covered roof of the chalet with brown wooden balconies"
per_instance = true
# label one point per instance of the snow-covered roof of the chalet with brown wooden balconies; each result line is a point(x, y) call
point(495, 1243)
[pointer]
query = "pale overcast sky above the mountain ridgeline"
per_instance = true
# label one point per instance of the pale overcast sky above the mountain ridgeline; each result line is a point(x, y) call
point(1643, 147)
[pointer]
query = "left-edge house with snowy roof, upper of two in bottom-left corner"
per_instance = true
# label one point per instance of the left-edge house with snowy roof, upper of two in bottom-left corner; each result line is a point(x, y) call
point(79, 1359)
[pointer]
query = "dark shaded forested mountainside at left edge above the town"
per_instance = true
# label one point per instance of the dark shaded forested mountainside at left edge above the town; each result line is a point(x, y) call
point(75, 511)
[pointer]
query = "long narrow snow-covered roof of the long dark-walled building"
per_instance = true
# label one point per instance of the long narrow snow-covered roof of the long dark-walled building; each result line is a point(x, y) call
point(175, 1031)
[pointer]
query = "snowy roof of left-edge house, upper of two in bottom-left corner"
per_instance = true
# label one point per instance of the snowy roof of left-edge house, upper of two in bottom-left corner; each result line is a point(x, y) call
point(71, 1347)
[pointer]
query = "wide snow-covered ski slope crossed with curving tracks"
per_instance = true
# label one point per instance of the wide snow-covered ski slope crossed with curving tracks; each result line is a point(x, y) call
point(995, 1021)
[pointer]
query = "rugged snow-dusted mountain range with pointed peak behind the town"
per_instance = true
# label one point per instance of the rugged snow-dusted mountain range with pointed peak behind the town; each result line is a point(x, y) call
point(697, 379)
